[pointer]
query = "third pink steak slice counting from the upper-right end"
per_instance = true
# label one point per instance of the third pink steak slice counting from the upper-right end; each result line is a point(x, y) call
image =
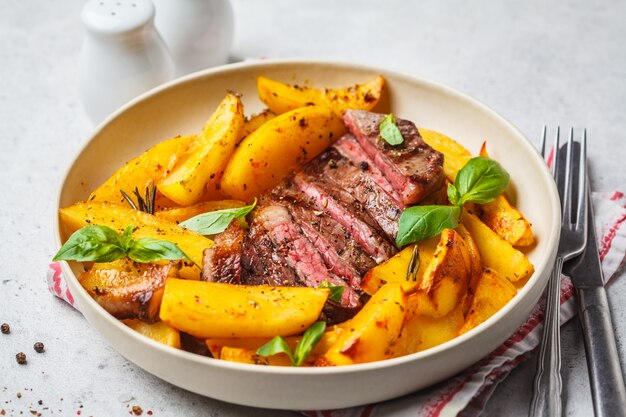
point(341, 206)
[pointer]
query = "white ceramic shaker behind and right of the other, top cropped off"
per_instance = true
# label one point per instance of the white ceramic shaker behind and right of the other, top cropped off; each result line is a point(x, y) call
point(198, 33)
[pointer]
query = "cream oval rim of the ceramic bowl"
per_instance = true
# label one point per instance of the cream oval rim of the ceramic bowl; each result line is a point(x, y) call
point(552, 235)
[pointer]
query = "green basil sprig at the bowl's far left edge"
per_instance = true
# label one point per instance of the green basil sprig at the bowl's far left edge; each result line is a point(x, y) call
point(97, 243)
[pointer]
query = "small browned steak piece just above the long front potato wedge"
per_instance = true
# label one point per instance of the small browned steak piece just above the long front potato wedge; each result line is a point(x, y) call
point(222, 261)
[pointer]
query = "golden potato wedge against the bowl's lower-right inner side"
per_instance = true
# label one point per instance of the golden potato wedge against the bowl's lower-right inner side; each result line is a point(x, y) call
point(492, 293)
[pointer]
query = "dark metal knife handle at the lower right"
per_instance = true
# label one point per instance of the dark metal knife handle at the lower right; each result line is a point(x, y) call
point(605, 372)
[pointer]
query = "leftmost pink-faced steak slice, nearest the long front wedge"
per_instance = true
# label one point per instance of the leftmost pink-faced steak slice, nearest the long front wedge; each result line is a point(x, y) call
point(298, 251)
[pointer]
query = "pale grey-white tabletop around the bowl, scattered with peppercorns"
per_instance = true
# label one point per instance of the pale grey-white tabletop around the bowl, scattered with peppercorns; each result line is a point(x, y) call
point(534, 62)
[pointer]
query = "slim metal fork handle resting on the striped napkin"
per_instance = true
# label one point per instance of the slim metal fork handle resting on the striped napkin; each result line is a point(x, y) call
point(546, 401)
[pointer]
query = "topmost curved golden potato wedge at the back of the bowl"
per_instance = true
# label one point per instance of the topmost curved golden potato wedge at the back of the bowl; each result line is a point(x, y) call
point(281, 98)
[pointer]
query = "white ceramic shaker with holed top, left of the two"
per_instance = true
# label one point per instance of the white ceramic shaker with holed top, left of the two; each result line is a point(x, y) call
point(122, 55)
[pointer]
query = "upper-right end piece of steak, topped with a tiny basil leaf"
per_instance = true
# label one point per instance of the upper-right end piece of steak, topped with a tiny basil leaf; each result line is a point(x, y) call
point(413, 168)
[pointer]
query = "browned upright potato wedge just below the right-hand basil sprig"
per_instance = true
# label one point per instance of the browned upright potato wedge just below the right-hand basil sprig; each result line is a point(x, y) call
point(446, 278)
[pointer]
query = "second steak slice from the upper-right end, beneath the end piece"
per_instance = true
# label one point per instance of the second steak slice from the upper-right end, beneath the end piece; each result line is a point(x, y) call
point(355, 178)
